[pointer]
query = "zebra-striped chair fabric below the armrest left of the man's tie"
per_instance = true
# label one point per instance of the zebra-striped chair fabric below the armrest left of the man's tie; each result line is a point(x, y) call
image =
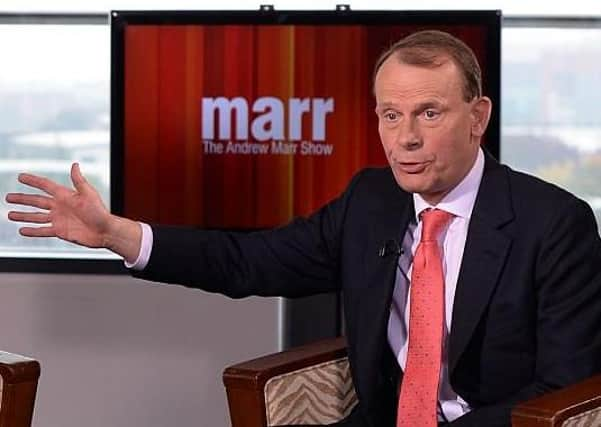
point(319, 394)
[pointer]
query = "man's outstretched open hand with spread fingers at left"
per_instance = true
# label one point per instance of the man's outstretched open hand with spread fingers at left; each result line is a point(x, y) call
point(74, 214)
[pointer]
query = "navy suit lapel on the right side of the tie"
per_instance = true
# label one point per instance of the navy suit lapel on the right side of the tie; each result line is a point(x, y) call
point(484, 256)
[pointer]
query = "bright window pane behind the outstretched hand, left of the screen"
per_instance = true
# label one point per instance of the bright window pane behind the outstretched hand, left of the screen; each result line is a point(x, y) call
point(54, 87)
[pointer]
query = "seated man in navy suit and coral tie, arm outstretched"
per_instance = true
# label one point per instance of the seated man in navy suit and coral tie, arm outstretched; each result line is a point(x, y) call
point(467, 286)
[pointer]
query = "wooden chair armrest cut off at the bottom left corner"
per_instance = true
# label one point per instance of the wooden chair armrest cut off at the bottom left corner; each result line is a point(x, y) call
point(19, 384)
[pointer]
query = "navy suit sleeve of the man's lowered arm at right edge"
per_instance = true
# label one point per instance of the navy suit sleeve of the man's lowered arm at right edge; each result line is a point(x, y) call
point(568, 281)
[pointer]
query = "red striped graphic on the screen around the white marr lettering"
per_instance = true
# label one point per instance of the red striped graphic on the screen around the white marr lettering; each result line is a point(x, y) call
point(168, 70)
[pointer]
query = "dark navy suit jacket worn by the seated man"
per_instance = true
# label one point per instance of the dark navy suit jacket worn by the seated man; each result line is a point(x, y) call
point(527, 309)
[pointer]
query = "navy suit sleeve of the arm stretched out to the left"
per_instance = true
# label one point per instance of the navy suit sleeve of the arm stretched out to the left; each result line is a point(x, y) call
point(299, 259)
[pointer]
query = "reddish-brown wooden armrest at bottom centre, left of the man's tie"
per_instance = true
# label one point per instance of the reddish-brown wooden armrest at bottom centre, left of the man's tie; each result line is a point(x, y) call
point(244, 382)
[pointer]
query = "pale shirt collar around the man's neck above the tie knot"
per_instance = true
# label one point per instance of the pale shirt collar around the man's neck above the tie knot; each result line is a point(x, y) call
point(461, 199)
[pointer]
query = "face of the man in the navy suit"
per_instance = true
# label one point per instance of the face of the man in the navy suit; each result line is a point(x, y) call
point(430, 134)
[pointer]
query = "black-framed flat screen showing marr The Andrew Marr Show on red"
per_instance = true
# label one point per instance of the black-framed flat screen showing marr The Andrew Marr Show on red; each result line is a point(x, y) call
point(244, 119)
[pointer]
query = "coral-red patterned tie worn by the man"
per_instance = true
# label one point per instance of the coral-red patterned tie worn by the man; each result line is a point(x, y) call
point(419, 389)
